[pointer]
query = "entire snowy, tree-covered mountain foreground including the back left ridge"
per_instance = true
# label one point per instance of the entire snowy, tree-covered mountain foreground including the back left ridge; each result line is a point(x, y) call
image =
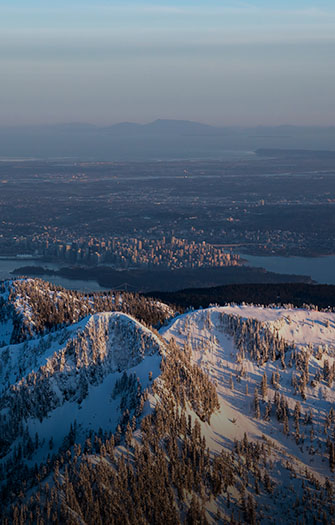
point(225, 415)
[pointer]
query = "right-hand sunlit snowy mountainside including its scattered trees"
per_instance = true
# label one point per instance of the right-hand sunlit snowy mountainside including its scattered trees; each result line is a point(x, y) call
point(274, 371)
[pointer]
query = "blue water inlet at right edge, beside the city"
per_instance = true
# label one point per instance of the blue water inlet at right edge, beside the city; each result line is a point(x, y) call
point(320, 269)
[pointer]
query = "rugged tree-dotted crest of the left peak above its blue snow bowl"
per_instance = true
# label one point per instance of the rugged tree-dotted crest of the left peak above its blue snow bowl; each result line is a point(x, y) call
point(100, 346)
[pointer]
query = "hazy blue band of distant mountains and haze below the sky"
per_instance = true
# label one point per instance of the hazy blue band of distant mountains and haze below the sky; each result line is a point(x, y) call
point(161, 139)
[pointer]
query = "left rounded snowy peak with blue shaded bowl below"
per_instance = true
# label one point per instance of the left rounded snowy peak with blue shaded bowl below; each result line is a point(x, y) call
point(69, 378)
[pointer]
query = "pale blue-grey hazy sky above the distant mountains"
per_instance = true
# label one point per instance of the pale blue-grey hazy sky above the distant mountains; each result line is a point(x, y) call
point(217, 61)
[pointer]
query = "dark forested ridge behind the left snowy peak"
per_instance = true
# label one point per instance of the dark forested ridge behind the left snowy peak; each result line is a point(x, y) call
point(32, 307)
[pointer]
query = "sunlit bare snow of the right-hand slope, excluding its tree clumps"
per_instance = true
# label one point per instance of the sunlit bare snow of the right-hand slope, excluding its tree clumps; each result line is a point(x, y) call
point(214, 350)
